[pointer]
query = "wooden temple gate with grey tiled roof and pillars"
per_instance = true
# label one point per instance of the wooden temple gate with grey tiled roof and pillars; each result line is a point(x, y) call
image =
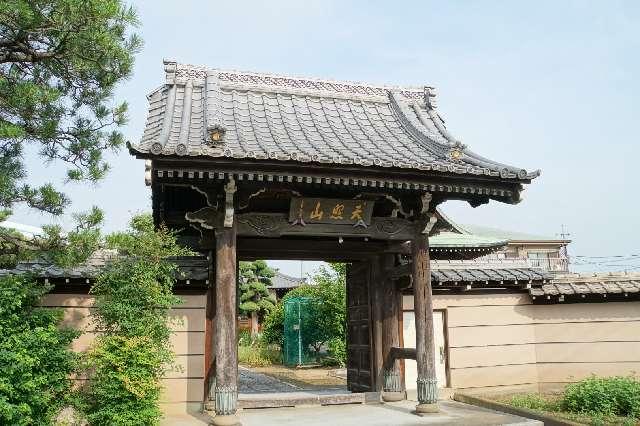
point(254, 166)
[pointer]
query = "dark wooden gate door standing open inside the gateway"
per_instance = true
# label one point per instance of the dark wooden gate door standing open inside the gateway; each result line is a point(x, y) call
point(359, 353)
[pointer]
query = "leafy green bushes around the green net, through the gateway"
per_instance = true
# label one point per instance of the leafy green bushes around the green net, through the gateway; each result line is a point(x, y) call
point(327, 319)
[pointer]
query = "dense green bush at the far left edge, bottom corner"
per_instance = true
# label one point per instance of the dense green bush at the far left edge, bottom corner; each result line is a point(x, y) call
point(35, 359)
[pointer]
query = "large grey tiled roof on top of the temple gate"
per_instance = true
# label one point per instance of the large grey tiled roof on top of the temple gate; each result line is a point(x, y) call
point(265, 116)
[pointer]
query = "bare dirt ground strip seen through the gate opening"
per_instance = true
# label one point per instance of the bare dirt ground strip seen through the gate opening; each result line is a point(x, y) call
point(306, 377)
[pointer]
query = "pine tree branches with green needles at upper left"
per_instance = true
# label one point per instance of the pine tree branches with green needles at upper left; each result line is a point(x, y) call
point(60, 61)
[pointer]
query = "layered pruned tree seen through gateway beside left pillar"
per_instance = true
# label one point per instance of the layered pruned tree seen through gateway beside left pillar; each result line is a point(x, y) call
point(254, 295)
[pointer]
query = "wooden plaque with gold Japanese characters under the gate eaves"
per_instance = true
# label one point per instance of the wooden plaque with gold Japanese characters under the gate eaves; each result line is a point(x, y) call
point(328, 210)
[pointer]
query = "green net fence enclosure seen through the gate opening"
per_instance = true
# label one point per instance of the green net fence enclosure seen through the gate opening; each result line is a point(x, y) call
point(297, 321)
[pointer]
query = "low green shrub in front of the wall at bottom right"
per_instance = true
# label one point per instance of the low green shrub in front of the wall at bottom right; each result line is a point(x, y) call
point(607, 396)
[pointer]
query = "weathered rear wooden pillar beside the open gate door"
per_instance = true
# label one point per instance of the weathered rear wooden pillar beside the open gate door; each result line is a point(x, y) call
point(392, 386)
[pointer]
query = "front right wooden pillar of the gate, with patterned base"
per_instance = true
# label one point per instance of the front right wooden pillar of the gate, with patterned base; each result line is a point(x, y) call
point(423, 306)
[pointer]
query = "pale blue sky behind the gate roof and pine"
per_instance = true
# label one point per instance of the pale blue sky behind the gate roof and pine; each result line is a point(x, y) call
point(538, 84)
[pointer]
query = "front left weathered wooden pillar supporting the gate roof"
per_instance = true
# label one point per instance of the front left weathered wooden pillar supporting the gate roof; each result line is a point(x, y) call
point(225, 327)
